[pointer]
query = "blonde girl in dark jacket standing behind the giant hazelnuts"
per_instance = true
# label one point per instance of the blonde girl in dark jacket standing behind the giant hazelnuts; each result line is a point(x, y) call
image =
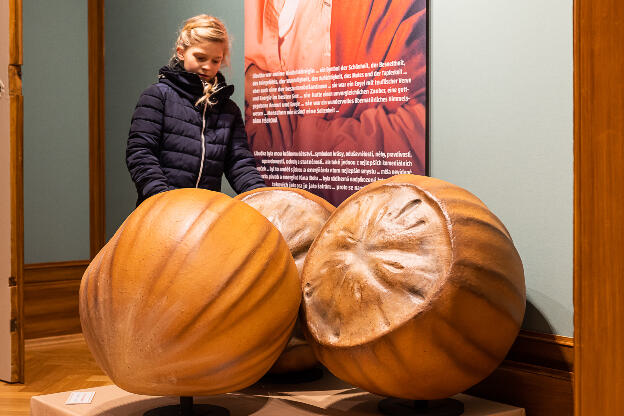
point(186, 131)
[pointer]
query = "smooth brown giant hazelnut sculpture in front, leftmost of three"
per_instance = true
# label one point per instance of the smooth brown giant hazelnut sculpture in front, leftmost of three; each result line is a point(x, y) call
point(196, 294)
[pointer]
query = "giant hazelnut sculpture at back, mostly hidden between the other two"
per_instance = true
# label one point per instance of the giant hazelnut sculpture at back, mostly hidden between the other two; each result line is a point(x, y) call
point(299, 215)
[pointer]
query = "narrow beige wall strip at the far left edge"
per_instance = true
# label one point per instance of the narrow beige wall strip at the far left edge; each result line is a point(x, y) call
point(5, 198)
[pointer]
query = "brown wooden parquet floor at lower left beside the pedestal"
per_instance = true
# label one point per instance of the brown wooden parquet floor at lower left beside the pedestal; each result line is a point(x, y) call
point(52, 365)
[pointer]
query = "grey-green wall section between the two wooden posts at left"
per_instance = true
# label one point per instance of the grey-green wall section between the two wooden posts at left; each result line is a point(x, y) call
point(56, 130)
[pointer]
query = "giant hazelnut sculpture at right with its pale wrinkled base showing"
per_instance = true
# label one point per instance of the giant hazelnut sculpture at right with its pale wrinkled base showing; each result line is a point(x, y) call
point(413, 289)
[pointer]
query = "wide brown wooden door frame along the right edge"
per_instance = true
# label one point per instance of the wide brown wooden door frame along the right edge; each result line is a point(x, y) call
point(598, 207)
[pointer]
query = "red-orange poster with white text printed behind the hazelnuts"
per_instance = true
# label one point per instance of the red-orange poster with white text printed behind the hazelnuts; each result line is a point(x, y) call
point(336, 91)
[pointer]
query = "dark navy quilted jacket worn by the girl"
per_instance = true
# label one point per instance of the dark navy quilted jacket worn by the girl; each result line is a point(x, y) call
point(165, 143)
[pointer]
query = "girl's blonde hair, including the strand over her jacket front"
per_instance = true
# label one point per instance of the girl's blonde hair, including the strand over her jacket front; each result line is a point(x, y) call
point(202, 28)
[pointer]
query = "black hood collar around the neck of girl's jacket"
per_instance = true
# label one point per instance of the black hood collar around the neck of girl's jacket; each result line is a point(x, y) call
point(189, 85)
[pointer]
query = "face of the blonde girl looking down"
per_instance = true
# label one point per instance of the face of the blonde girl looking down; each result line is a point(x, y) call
point(203, 59)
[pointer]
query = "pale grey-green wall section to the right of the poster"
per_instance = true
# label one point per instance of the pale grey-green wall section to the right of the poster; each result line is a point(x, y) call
point(501, 126)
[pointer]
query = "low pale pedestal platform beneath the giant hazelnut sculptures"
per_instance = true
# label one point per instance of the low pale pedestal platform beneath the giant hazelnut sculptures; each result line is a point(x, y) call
point(328, 396)
